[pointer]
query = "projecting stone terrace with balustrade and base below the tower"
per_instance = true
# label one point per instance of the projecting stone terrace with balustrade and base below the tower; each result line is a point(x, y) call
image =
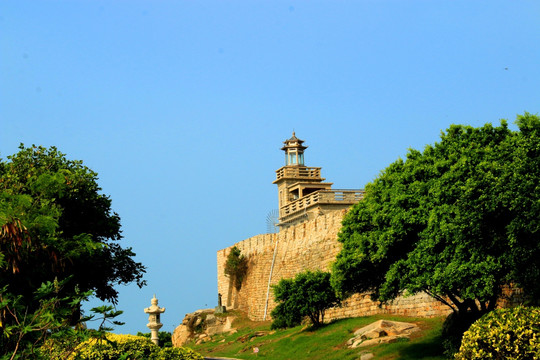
point(301, 209)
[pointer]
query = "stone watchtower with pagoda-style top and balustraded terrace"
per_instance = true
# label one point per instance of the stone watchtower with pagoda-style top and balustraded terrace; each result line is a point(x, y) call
point(301, 191)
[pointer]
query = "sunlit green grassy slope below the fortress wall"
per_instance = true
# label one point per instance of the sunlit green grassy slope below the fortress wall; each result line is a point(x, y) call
point(328, 342)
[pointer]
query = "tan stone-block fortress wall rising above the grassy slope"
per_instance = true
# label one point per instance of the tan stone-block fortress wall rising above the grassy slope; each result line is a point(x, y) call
point(310, 245)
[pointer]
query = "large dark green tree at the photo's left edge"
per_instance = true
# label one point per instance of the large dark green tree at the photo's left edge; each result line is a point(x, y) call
point(55, 225)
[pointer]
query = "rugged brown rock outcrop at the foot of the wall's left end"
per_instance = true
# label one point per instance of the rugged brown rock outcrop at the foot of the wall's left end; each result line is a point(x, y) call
point(200, 326)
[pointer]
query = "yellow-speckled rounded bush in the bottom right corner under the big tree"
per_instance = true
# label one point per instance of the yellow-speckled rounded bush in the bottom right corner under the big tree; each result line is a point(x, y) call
point(503, 334)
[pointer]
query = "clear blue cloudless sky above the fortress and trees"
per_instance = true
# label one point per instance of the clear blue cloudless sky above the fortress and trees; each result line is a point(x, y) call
point(182, 106)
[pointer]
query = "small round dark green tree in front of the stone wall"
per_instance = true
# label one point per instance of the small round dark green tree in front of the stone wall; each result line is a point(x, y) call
point(309, 294)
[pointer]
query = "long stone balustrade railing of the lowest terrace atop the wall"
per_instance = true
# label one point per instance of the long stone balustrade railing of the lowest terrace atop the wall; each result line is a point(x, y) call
point(322, 197)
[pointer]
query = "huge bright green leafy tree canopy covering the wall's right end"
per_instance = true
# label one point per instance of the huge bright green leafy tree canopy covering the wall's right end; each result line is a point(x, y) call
point(457, 220)
